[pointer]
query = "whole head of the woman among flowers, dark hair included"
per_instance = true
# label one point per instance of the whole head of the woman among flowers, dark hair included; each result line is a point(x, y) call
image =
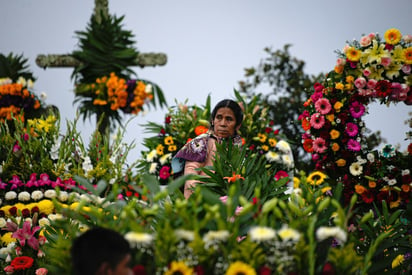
point(226, 118)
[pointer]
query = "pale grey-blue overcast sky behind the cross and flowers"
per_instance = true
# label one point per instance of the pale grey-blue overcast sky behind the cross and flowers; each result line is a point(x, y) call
point(208, 44)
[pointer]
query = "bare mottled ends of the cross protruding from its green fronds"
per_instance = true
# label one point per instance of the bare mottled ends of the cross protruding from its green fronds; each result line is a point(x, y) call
point(68, 61)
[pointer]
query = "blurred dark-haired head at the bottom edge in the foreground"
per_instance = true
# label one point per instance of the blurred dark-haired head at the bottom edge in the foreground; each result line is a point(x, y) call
point(101, 251)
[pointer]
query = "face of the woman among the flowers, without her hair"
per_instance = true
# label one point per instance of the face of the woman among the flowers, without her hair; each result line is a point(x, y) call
point(225, 123)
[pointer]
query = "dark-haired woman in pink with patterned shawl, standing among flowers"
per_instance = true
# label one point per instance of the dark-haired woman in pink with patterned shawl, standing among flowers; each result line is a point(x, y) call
point(225, 121)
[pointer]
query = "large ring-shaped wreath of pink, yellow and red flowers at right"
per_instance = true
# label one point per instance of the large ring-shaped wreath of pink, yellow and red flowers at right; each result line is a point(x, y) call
point(369, 70)
